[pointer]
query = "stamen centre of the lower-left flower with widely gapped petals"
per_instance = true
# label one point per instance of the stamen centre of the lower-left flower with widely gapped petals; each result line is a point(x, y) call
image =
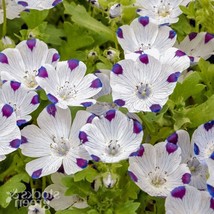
point(60, 146)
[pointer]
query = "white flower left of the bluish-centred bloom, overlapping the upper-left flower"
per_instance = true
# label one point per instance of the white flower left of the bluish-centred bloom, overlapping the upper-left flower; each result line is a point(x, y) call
point(67, 86)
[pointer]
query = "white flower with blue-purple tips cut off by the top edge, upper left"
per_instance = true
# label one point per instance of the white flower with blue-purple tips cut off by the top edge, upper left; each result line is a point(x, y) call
point(39, 4)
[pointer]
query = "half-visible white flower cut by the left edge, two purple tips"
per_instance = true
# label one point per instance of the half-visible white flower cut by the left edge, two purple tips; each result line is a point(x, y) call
point(10, 136)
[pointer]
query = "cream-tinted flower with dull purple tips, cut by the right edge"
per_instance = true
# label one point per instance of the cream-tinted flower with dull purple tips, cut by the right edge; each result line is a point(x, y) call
point(197, 45)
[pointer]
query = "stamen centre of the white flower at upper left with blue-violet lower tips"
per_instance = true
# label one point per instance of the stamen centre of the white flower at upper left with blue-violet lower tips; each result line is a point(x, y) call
point(67, 91)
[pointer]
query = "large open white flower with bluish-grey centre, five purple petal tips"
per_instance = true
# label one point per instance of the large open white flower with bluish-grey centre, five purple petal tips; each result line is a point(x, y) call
point(145, 84)
